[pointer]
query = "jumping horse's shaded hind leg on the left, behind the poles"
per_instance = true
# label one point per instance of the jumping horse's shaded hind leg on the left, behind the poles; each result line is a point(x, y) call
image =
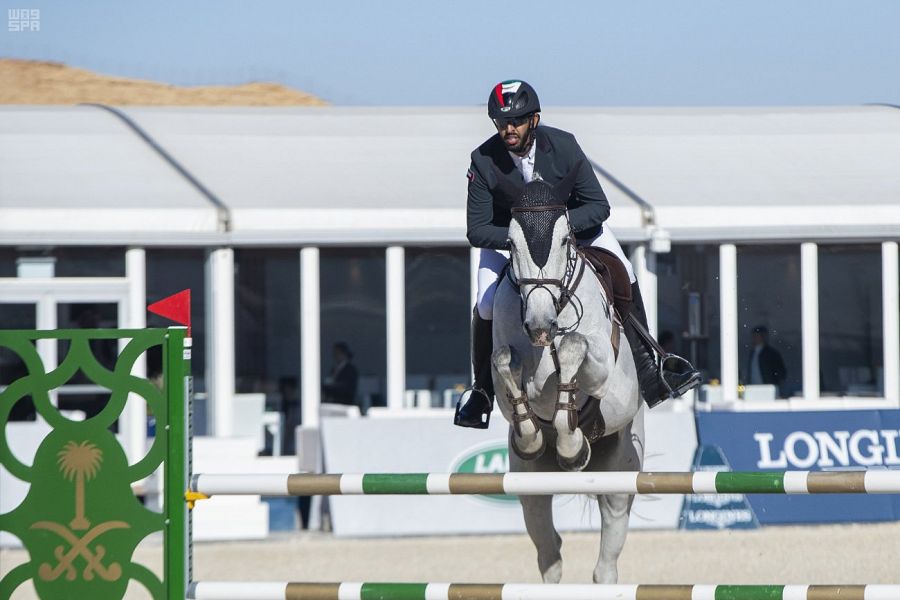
point(538, 513)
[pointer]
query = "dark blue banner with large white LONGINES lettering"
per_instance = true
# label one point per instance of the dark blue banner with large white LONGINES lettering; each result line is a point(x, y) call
point(809, 441)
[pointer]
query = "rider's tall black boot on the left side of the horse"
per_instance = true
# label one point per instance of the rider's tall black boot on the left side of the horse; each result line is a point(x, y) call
point(475, 405)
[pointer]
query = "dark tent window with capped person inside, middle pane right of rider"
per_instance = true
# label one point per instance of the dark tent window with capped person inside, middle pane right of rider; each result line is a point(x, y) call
point(769, 319)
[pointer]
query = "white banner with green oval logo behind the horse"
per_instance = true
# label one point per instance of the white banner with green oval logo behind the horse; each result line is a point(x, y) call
point(428, 444)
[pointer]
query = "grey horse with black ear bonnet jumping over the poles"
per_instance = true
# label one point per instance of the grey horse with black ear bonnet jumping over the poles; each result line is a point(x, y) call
point(556, 334)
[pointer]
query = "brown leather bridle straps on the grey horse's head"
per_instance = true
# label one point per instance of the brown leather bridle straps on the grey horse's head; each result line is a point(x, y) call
point(575, 266)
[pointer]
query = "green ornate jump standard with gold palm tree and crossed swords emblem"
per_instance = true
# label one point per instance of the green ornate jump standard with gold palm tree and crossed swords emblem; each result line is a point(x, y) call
point(80, 521)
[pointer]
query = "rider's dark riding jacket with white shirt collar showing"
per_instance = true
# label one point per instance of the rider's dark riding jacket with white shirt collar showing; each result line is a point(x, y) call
point(494, 179)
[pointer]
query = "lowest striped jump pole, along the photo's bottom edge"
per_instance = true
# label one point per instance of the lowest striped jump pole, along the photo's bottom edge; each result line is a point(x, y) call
point(217, 590)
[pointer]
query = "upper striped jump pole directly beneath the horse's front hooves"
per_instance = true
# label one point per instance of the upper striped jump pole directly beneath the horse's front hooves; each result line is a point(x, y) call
point(520, 484)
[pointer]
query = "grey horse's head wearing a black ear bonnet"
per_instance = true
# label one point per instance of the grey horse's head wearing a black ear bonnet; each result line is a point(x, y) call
point(542, 255)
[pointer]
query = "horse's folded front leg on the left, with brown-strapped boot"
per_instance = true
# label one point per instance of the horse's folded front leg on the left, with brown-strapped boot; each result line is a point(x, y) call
point(526, 438)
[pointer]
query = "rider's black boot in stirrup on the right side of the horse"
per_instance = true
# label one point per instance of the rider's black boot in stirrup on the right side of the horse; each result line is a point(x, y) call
point(653, 388)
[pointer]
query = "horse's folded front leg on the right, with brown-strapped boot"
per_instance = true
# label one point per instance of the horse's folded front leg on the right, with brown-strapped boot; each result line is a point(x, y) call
point(572, 449)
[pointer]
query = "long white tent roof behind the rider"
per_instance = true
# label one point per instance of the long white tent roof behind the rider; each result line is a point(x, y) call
point(397, 175)
